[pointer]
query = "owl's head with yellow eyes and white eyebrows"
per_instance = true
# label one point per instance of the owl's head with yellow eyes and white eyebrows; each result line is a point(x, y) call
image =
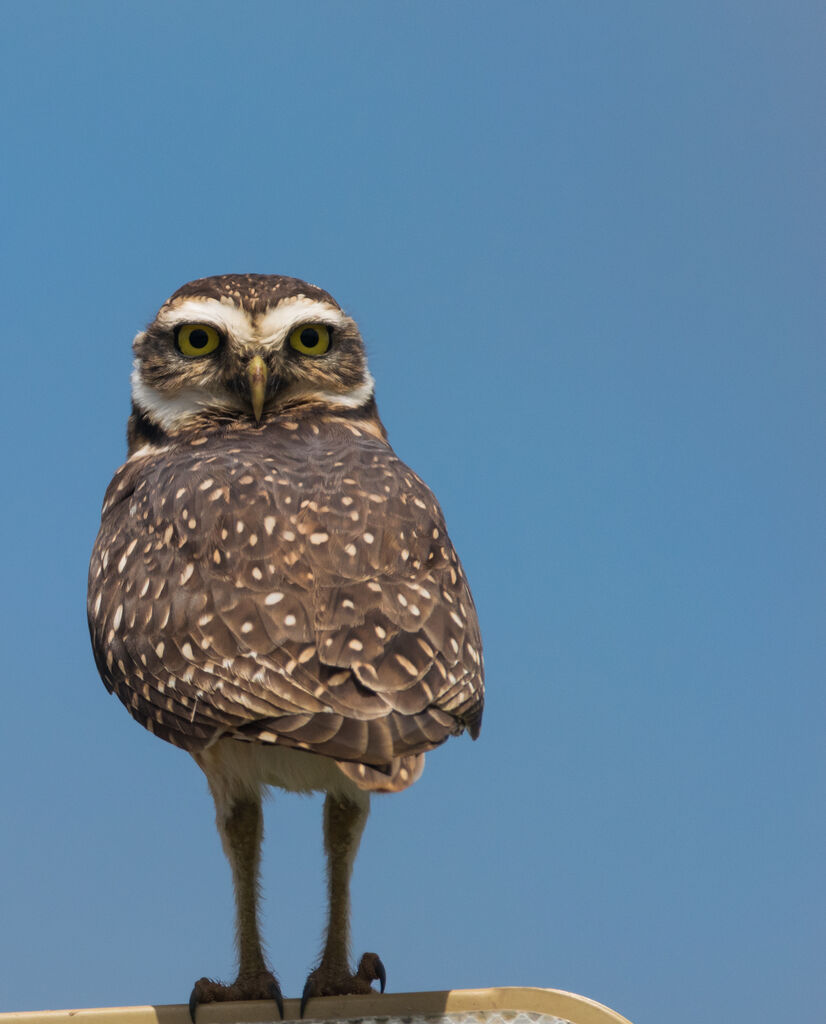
point(245, 348)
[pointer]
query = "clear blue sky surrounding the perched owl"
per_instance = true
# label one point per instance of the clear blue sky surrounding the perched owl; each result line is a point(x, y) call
point(584, 243)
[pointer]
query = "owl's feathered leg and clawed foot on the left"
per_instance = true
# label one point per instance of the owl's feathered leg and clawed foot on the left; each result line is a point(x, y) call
point(241, 827)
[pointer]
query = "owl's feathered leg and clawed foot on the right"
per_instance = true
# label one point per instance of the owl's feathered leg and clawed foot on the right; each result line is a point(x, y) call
point(344, 824)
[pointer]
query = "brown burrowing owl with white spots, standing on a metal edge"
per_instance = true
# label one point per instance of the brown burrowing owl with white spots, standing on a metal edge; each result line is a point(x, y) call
point(274, 591)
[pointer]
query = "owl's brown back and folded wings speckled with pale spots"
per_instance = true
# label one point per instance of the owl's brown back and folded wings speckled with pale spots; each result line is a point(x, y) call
point(313, 603)
